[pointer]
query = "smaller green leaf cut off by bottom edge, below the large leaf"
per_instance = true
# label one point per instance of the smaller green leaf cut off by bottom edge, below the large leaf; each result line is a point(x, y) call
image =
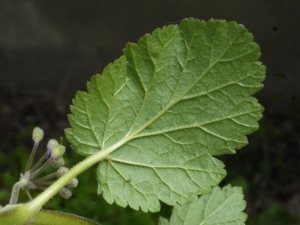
point(220, 206)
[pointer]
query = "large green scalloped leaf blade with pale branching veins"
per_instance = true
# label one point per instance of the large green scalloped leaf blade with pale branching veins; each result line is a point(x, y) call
point(160, 113)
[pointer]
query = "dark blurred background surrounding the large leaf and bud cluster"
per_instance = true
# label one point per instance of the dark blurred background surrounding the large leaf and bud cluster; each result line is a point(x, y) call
point(50, 49)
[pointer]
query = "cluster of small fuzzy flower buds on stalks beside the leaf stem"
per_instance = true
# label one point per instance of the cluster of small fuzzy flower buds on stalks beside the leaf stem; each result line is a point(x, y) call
point(53, 157)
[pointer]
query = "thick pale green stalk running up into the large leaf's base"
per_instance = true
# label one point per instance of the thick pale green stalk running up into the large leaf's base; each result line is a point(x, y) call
point(40, 200)
